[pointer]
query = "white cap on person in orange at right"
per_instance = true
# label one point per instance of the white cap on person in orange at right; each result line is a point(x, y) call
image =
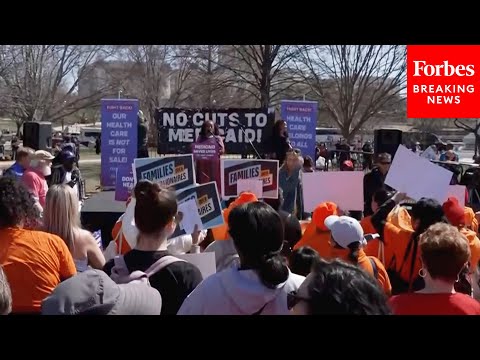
point(345, 230)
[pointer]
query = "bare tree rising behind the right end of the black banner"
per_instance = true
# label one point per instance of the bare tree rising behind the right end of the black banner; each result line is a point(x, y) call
point(263, 71)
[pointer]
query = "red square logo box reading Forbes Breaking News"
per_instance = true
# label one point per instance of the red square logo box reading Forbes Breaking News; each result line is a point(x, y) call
point(443, 81)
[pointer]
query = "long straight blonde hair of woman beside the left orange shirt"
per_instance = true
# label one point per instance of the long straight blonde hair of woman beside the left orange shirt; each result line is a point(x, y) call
point(61, 216)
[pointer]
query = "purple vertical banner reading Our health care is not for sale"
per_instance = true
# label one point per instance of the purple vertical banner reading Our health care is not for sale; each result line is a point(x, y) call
point(119, 137)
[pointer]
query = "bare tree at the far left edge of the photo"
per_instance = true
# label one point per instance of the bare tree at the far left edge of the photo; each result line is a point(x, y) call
point(41, 81)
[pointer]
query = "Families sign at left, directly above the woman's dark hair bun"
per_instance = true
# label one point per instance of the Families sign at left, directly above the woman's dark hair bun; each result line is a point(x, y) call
point(176, 172)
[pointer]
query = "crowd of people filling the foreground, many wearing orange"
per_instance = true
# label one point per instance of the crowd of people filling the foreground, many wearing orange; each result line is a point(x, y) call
point(398, 257)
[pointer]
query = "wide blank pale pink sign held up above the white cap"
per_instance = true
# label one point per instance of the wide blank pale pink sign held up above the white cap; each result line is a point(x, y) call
point(344, 188)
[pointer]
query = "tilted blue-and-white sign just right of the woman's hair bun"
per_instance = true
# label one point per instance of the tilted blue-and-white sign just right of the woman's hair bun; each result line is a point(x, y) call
point(208, 203)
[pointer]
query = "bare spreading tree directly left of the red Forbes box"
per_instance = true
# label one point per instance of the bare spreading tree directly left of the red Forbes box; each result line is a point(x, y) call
point(354, 82)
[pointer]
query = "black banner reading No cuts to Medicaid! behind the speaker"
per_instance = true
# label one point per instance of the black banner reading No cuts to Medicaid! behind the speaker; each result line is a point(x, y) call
point(179, 128)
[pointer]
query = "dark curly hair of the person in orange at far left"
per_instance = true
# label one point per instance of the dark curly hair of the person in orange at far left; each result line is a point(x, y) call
point(17, 205)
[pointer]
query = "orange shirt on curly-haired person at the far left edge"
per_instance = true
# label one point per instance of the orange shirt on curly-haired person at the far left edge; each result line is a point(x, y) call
point(35, 262)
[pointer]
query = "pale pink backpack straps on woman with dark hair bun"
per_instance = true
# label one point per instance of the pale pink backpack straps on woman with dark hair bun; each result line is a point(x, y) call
point(121, 275)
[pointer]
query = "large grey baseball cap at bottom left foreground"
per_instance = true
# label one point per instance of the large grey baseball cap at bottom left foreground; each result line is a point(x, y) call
point(92, 292)
